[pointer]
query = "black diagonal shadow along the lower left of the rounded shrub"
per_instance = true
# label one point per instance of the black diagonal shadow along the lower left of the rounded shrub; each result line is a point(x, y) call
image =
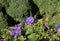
point(9, 19)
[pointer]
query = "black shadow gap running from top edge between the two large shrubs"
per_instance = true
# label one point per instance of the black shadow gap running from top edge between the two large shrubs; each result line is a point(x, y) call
point(34, 9)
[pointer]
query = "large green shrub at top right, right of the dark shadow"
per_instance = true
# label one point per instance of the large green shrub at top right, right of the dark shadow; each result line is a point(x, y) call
point(47, 6)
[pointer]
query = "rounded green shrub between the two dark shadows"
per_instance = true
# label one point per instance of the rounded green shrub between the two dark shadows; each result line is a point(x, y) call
point(17, 9)
